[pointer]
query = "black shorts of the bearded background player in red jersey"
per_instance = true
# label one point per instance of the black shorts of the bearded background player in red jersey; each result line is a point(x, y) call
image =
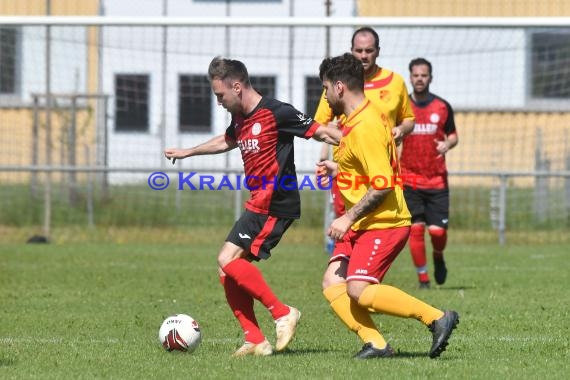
point(428, 206)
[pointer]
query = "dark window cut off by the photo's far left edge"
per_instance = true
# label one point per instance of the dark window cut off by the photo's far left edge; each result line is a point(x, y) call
point(8, 61)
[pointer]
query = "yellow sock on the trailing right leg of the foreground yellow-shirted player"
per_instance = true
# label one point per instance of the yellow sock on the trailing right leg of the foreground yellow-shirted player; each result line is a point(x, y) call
point(389, 300)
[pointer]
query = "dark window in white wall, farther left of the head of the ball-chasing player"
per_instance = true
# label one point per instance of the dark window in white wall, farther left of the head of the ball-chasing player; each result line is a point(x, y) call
point(131, 102)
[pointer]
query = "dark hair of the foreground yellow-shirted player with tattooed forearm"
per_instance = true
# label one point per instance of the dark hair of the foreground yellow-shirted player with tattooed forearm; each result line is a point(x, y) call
point(345, 68)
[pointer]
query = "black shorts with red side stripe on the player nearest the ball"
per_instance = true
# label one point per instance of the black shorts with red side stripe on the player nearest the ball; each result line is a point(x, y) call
point(257, 234)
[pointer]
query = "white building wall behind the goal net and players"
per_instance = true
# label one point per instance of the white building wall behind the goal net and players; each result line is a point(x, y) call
point(473, 68)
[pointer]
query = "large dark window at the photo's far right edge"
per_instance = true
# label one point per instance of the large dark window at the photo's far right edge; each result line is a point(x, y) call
point(550, 51)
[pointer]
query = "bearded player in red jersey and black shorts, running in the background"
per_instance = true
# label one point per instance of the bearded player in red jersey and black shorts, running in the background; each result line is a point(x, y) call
point(425, 173)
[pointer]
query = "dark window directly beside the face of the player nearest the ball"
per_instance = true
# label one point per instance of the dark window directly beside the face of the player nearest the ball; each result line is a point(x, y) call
point(194, 104)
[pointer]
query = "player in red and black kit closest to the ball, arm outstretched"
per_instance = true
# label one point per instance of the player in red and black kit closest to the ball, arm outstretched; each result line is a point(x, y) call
point(263, 129)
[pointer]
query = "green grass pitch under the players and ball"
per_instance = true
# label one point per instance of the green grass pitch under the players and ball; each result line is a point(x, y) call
point(92, 310)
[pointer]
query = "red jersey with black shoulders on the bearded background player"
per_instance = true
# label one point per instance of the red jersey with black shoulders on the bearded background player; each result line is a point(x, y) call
point(422, 165)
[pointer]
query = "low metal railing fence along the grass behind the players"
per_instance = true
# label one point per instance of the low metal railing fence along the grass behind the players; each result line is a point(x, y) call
point(505, 210)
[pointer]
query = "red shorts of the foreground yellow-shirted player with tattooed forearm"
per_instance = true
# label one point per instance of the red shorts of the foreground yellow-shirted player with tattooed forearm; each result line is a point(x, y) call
point(370, 253)
